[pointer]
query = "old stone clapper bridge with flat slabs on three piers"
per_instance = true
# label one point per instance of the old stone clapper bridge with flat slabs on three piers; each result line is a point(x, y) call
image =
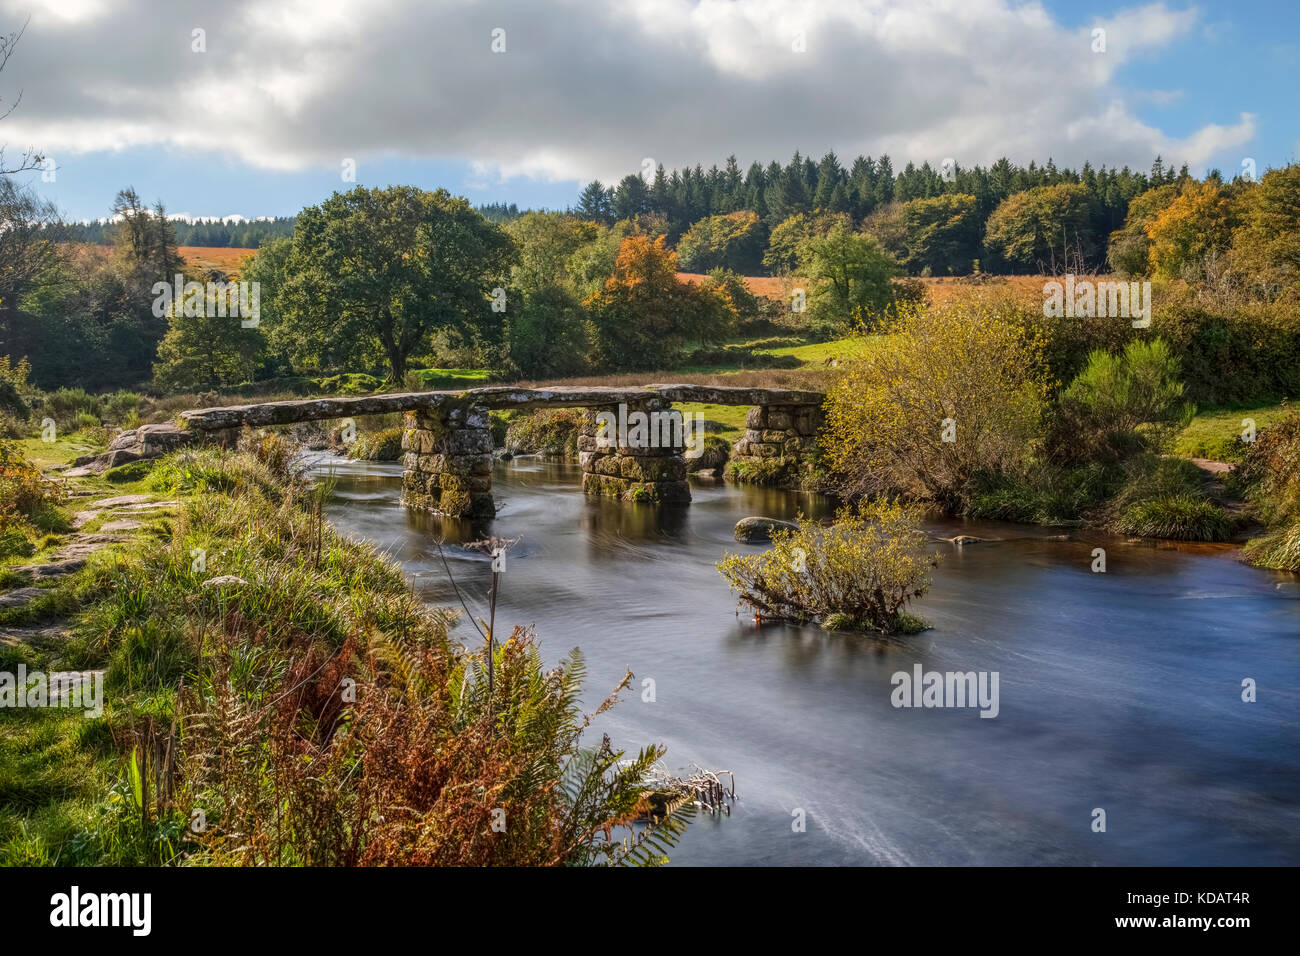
point(449, 447)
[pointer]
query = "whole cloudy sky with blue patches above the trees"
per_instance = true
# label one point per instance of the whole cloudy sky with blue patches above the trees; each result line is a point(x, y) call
point(263, 107)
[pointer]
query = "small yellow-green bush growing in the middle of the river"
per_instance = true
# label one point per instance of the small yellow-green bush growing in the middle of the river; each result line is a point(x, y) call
point(860, 572)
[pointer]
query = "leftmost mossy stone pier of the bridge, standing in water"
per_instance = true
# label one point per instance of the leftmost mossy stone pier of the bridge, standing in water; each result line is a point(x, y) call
point(449, 461)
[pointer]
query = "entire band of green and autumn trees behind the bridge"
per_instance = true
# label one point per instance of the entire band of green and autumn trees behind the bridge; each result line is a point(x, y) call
point(392, 280)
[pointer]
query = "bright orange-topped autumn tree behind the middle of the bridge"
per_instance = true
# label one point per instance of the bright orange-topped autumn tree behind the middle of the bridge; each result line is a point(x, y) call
point(645, 315)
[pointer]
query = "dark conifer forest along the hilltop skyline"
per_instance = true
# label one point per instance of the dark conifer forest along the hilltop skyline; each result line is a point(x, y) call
point(869, 191)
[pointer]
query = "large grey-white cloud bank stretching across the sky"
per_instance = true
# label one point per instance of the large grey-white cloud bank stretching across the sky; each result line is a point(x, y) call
point(588, 89)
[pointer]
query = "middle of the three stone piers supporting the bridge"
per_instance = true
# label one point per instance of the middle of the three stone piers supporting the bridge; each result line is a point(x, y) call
point(649, 468)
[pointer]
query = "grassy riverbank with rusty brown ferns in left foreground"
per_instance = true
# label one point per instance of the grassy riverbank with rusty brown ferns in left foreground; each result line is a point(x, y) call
point(276, 694)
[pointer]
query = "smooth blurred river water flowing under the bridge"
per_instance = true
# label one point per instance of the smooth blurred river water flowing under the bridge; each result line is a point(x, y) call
point(1120, 691)
